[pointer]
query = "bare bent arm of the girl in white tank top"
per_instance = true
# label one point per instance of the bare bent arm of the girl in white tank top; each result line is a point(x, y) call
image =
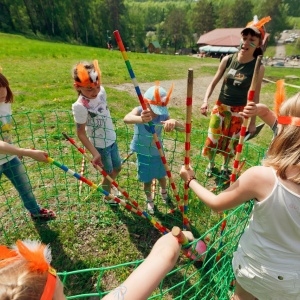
point(241, 191)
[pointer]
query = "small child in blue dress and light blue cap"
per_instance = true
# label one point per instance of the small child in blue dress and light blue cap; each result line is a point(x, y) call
point(149, 161)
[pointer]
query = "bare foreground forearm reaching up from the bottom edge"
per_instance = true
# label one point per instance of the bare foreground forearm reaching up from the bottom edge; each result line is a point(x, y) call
point(141, 283)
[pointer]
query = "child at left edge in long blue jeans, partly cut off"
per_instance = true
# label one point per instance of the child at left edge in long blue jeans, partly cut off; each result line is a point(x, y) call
point(10, 165)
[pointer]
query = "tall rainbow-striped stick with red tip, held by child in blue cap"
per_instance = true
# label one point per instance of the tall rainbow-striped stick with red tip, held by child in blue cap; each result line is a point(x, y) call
point(151, 125)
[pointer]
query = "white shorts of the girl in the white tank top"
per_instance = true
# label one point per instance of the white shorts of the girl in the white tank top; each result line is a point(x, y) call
point(265, 282)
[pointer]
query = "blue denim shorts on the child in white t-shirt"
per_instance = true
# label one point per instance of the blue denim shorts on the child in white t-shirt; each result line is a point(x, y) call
point(110, 158)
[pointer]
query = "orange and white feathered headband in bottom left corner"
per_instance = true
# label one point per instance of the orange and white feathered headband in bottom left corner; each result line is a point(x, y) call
point(38, 258)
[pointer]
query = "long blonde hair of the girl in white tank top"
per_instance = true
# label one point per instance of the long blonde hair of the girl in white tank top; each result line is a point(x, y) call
point(285, 148)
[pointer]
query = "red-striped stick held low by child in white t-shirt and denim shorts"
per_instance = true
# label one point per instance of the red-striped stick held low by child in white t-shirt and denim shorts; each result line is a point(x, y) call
point(113, 182)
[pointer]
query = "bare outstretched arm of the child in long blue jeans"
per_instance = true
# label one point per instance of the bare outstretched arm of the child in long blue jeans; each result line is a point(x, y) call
point(38, 155)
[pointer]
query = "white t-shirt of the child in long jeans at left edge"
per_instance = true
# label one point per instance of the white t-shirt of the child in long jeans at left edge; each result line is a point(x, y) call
point(5, 129)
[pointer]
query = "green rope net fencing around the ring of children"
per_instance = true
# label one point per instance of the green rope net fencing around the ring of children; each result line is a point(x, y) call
point(85, 237)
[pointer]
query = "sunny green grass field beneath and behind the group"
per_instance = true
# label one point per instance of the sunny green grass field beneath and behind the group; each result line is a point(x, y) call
point(87, 234)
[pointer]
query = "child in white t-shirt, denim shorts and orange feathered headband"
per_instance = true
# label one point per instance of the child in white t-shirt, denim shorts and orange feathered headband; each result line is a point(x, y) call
point(95, 128)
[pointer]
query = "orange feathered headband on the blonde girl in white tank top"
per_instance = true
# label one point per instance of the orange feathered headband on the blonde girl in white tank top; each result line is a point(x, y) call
point(279, 98)
